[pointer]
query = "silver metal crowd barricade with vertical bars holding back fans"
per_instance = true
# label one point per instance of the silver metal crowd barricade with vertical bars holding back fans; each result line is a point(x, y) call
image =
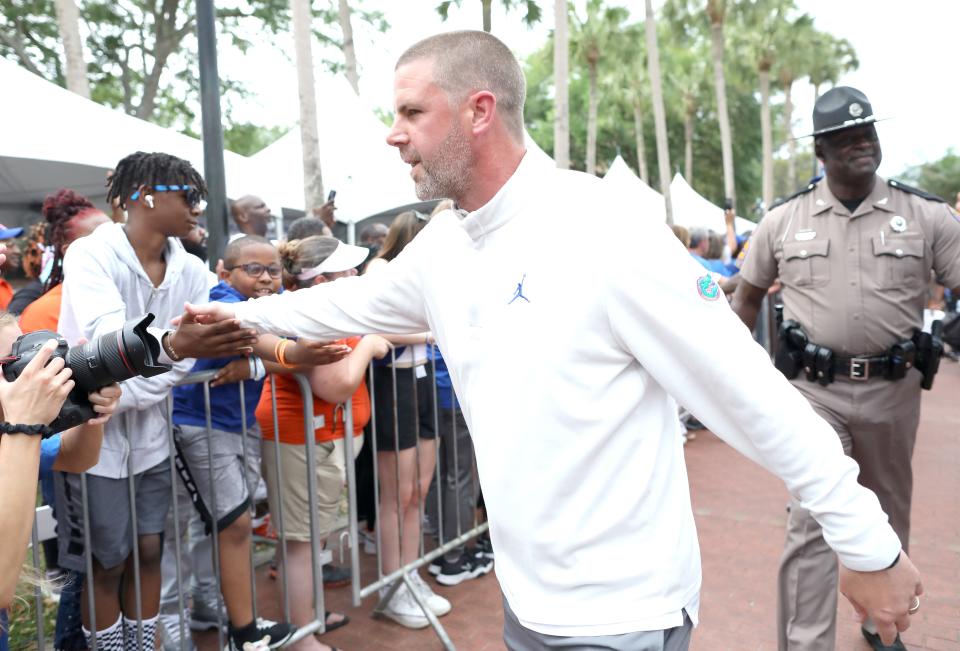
point(390, 582)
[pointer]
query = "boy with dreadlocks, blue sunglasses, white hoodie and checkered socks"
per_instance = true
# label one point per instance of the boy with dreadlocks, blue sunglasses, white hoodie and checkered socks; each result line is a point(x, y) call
point(118, 272)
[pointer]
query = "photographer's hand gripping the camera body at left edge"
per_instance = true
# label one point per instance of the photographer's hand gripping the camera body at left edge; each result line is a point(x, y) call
point(37, 395)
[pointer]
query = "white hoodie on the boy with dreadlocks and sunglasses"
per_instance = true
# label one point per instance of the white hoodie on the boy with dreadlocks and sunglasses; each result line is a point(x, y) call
point(105, 285)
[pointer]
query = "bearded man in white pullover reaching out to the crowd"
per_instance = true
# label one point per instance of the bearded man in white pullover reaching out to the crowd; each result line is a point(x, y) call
point(564, 349)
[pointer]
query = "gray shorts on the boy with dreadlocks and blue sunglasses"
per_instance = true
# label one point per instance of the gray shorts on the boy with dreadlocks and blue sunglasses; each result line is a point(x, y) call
point(111, 524)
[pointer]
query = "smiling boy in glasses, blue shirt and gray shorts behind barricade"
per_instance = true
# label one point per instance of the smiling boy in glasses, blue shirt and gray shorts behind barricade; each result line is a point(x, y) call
point(251, 268)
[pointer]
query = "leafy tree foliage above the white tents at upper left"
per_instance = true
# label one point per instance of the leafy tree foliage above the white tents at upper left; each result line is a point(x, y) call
point(142, 57)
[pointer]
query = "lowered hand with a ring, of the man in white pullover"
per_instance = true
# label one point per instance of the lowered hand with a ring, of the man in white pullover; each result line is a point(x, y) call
point(884, 596)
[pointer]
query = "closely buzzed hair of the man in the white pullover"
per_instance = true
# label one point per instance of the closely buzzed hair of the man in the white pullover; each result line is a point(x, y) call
point(467, 61)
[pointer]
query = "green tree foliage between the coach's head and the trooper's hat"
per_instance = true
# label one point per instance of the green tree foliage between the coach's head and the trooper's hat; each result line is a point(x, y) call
point(687, 76)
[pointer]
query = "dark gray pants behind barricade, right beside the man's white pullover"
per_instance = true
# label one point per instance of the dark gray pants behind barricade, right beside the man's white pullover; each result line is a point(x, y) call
point(459, 493)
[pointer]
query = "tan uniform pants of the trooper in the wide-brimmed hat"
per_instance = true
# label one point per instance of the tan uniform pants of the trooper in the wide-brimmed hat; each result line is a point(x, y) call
point(877, 423)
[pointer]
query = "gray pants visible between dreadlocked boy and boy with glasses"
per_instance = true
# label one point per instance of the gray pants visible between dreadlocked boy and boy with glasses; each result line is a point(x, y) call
point(196, 557)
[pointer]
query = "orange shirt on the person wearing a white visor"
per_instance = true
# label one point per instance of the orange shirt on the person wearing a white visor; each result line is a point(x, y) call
point(290, 410)
